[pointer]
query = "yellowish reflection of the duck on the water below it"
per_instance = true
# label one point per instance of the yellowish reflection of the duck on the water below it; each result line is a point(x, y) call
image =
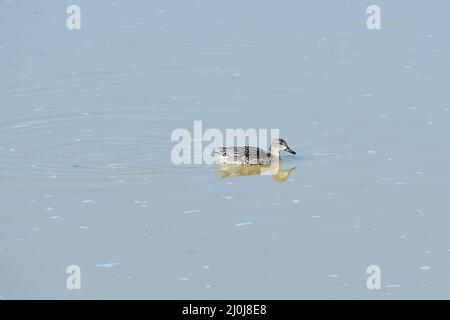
point(274, 169)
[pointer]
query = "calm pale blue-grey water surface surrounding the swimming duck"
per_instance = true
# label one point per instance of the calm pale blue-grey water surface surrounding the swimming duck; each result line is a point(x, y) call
point(86, 176)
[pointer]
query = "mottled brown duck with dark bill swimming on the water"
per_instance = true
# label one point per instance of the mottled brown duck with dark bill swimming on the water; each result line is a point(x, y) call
point(247, 155)
